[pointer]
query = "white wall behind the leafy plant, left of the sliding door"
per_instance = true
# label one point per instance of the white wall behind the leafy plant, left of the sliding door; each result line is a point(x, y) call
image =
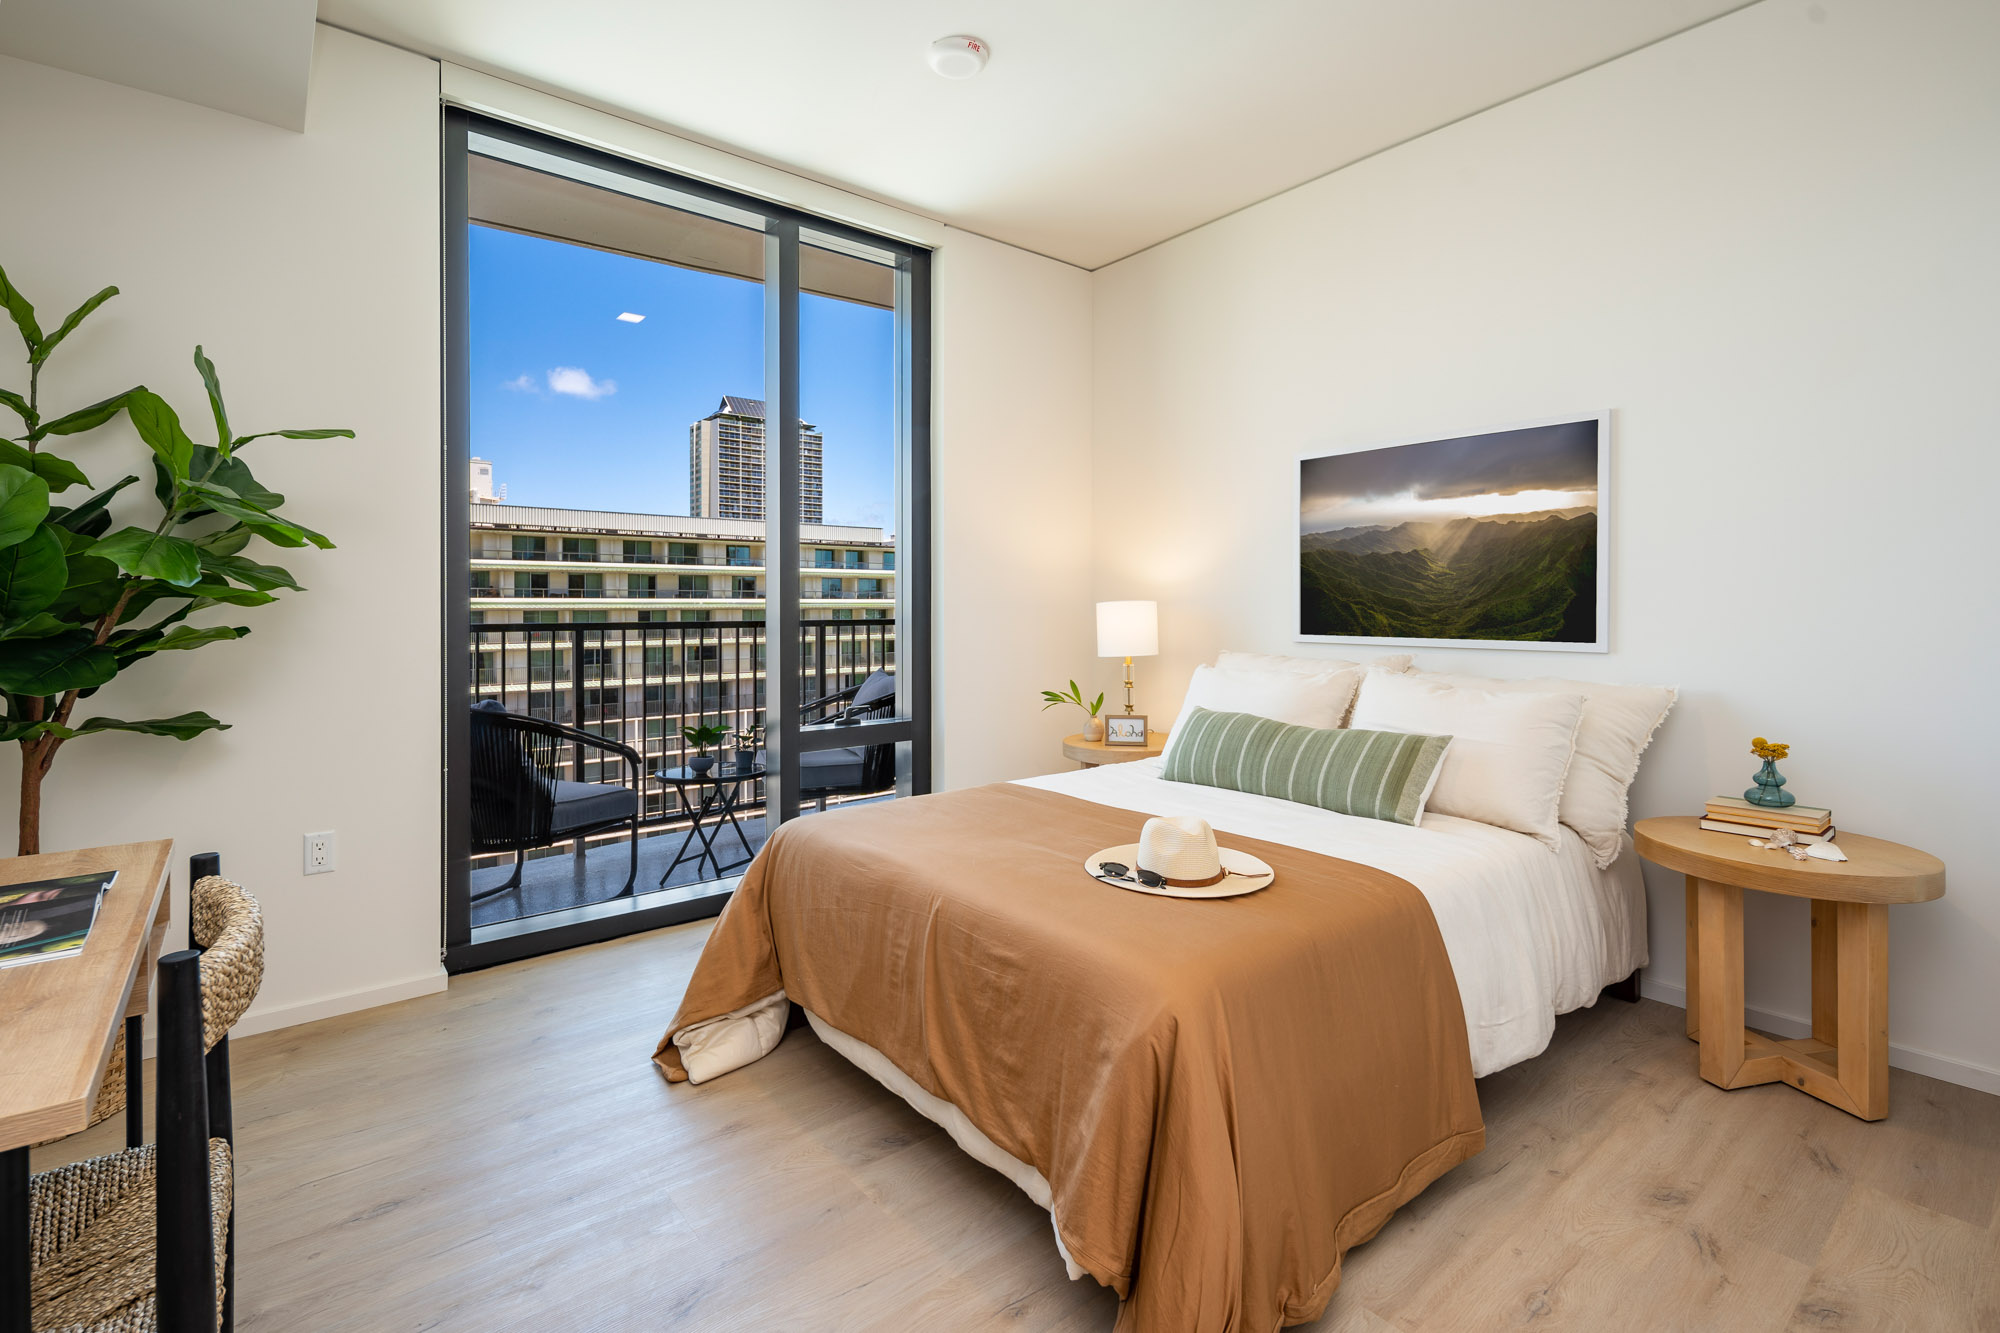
point(309, 269)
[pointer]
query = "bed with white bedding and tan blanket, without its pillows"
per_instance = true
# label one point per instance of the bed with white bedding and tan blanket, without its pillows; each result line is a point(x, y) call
point(1207, 1158)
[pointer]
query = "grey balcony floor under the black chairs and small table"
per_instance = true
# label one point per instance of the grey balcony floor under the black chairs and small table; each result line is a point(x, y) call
point(553, 882)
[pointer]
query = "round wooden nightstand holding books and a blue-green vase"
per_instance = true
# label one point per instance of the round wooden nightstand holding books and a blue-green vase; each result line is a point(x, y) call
point(1847, 1058)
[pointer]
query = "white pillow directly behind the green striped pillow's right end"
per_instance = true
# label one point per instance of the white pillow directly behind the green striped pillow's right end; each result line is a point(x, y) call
point(1509, 750)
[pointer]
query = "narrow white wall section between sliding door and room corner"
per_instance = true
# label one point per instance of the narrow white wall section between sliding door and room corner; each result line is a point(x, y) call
point(1013, 507)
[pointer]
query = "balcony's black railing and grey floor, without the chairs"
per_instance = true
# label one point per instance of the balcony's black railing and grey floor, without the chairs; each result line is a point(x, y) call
point(641, 686)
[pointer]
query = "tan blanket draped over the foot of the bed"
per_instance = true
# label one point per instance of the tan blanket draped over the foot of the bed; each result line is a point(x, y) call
point(1223, 1096)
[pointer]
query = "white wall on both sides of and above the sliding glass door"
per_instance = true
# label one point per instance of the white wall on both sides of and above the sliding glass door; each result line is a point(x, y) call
point(309, 267)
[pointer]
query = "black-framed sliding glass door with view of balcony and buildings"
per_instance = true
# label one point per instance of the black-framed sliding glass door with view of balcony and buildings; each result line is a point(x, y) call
point(687, 517)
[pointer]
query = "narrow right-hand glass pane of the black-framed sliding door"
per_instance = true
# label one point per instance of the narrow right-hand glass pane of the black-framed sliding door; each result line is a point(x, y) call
point(849, 397)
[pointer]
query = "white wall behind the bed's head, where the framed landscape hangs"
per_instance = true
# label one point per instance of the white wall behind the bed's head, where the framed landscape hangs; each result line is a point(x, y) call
point(1769, 247)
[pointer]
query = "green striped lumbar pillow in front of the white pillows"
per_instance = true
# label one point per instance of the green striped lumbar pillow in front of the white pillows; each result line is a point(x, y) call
point(1371, 774)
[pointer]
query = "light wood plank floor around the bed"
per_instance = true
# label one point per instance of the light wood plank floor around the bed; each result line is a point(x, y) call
point(507, 1158)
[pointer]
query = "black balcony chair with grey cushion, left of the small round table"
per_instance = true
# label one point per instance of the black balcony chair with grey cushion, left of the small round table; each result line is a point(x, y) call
point(519, 804)
